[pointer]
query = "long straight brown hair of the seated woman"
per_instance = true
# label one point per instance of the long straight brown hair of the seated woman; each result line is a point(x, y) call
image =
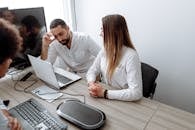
point(115, 35)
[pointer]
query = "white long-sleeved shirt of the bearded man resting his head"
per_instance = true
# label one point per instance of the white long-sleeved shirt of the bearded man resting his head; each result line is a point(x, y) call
point(79, 57)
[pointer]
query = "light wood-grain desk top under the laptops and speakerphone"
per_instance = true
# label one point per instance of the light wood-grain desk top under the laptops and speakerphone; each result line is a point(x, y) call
point(144, 114)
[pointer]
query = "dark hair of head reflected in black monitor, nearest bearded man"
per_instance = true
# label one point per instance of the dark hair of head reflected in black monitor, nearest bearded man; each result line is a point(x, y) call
point(30, 22)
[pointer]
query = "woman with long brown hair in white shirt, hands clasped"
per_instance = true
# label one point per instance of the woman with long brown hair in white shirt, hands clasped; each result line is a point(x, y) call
point(118, 63)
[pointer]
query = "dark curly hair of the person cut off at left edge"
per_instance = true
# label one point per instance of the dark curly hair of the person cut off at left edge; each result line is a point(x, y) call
point(10, 40)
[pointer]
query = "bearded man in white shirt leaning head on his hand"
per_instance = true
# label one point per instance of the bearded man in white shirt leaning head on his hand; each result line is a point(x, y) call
point(76, 50)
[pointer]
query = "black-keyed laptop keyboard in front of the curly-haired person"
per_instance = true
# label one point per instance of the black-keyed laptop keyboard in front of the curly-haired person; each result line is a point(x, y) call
point(37, 116)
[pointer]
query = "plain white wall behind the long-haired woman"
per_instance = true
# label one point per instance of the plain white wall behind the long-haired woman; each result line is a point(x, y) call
point(164, 35)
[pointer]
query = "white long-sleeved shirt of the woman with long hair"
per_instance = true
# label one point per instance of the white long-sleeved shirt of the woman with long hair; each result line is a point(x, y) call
point(126, 79)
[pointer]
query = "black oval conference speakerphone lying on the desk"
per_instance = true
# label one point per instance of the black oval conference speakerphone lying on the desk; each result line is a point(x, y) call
point(82, 115)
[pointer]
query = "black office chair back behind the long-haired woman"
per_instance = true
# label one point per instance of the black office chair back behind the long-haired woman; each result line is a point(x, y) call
point(149, 75)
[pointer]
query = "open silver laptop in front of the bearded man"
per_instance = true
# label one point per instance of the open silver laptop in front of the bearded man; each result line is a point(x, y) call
point(52, 75)
